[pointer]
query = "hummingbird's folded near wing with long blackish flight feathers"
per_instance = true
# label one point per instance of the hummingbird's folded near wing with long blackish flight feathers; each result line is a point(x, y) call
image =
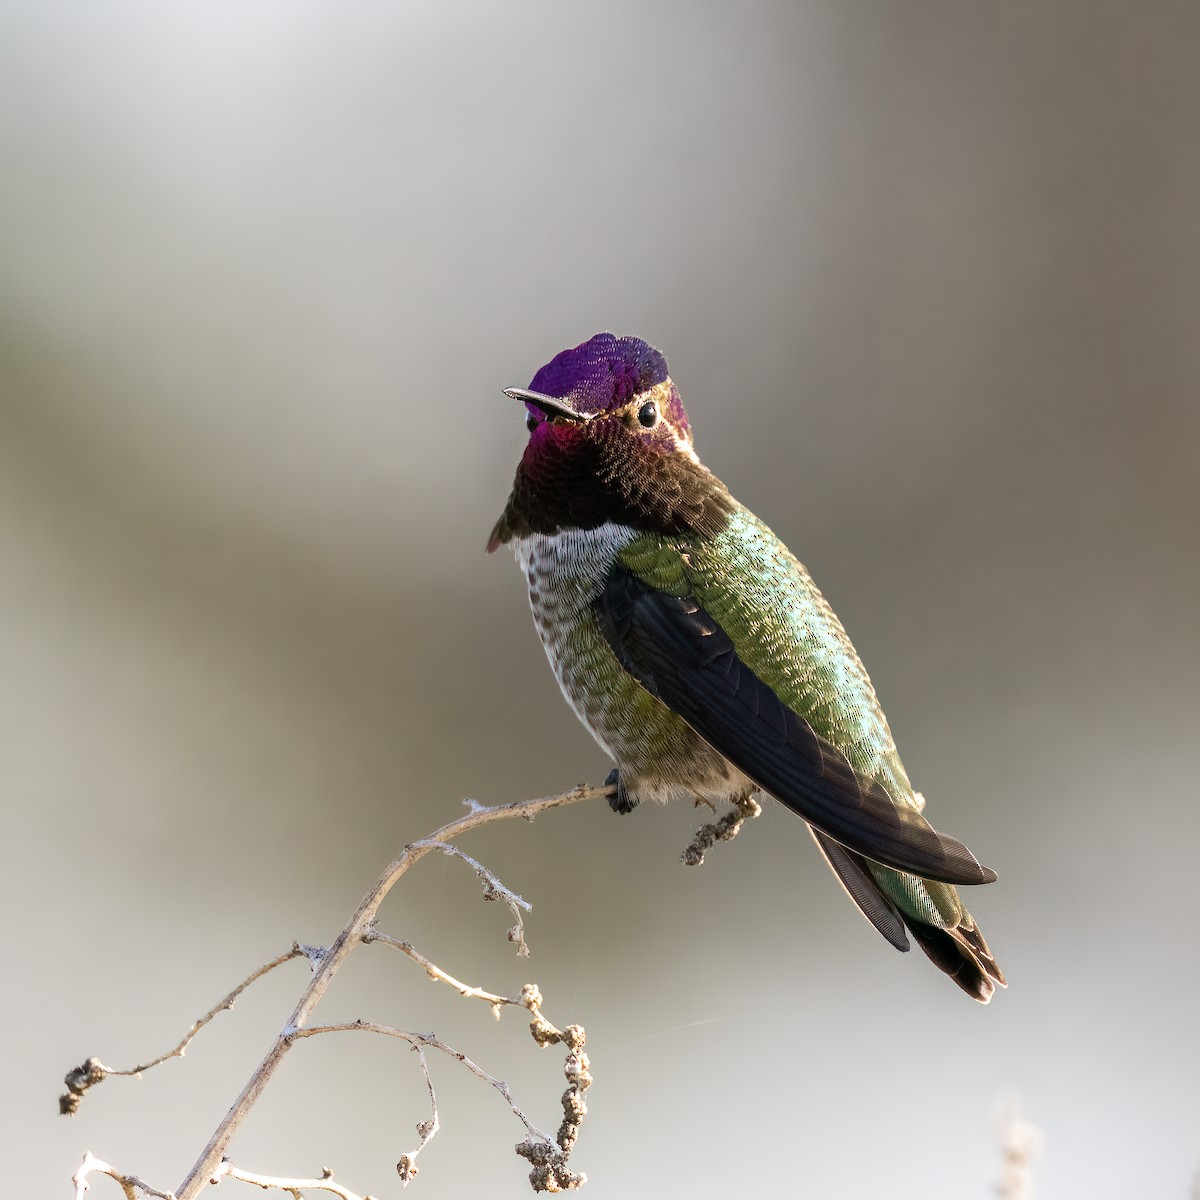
point(683, 657)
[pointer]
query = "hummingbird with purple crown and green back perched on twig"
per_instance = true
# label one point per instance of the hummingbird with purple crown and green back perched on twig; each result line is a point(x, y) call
point(700, 655)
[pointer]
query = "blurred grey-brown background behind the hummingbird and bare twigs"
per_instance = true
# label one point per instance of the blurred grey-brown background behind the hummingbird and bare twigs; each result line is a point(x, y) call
point(928, 277)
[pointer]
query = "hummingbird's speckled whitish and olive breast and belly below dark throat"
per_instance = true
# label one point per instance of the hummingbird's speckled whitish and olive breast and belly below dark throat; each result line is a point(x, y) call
point(659, 755)
